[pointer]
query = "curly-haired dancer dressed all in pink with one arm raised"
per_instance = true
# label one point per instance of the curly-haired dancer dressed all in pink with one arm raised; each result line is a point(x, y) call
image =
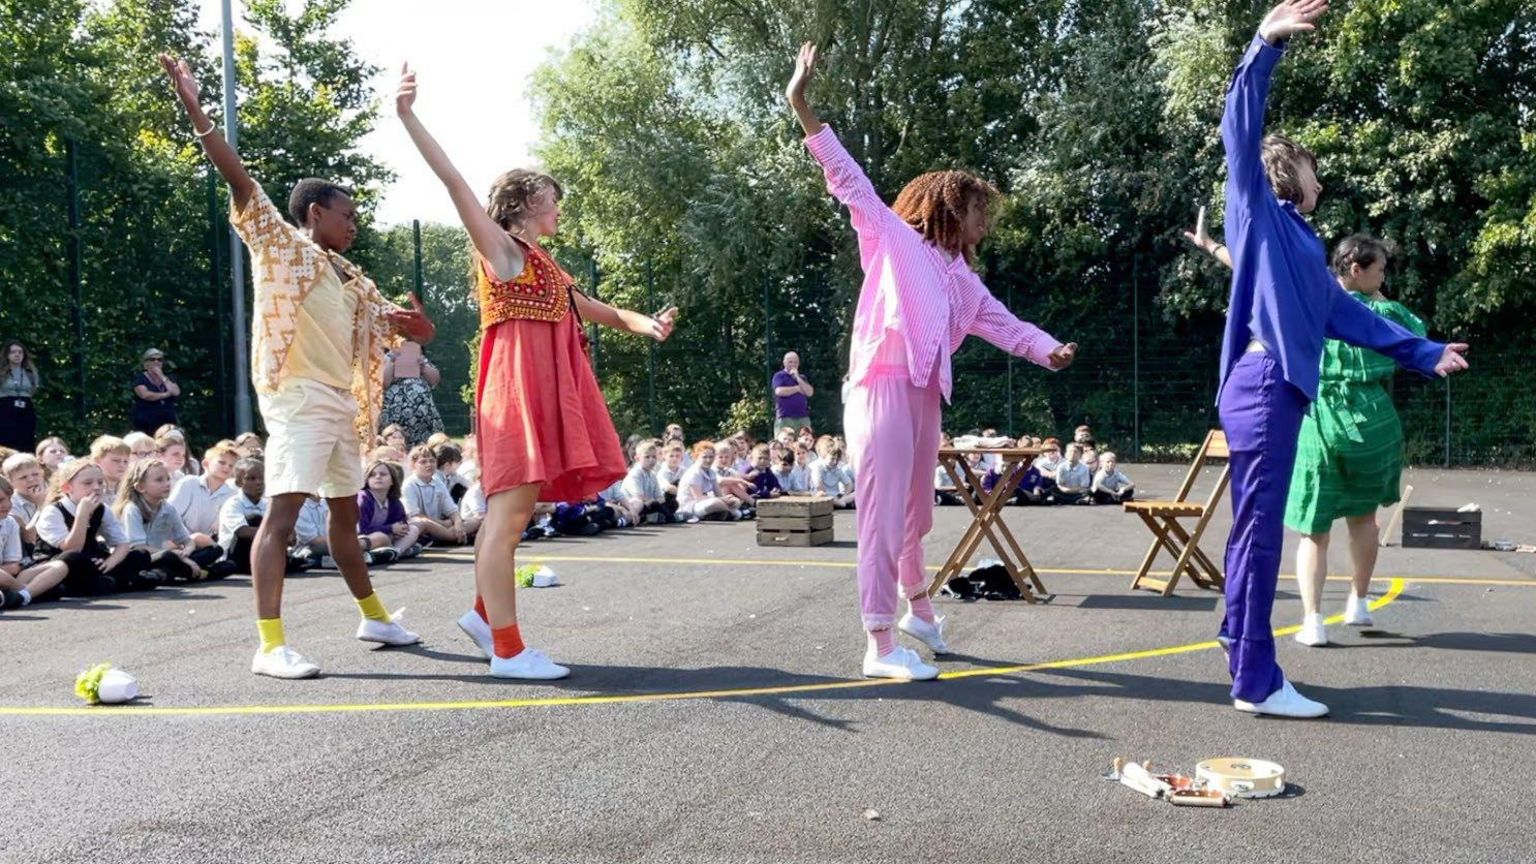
point(919, 302)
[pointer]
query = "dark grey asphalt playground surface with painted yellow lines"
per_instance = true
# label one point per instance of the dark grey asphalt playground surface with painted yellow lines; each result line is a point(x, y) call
point(715, 714)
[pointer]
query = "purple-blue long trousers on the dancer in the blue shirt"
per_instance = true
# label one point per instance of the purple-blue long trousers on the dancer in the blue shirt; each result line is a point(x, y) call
point(1262, 416)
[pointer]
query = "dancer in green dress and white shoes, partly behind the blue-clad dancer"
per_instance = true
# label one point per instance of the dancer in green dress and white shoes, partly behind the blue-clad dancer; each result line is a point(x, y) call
point(1349, 457)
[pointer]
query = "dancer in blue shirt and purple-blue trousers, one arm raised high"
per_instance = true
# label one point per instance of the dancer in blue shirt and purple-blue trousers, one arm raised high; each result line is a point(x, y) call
point(1285, 304)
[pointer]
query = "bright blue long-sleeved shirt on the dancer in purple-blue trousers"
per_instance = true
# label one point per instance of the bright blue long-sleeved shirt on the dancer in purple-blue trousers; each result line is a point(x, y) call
point(1283, 293)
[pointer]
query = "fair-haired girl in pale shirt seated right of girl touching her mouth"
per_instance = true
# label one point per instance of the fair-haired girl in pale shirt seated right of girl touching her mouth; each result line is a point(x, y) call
point(156, 527)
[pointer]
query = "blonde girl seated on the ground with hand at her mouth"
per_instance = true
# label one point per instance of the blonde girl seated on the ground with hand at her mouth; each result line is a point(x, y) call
point(79, 530)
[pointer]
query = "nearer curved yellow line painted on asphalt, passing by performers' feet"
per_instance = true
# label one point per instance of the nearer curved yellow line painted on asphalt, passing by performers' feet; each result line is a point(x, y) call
point(1395, 590)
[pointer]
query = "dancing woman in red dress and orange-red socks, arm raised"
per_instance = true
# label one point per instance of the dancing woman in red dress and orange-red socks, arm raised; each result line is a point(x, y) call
point(545, 430)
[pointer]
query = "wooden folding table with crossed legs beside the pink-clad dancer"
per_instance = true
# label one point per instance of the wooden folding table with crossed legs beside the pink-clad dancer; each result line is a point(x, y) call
point(987, 516)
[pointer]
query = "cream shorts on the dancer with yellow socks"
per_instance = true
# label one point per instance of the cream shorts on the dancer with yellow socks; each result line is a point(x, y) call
point(313, 444)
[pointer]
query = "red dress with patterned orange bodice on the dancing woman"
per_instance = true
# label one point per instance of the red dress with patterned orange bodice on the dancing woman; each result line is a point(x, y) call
point(541, 416)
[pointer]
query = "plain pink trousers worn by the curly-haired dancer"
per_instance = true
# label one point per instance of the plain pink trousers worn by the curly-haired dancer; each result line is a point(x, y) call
point(893, 436)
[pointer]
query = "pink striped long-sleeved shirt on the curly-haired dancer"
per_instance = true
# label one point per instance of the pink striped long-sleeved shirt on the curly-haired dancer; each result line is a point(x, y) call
point(916, 299)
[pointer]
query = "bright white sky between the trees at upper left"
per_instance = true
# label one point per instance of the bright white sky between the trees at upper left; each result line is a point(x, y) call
point(474, 61)
